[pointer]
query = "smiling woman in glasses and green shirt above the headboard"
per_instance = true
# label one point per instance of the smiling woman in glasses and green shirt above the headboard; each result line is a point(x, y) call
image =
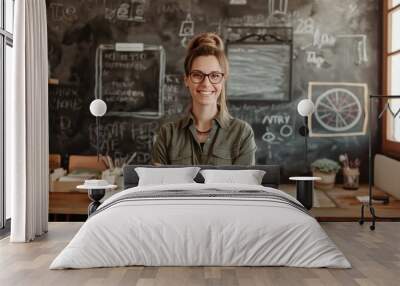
point(207, 134)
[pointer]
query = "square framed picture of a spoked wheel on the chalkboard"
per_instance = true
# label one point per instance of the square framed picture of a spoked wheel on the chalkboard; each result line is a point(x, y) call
point(340, 109)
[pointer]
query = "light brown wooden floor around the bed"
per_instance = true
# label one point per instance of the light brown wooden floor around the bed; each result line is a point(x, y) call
point(374, 255)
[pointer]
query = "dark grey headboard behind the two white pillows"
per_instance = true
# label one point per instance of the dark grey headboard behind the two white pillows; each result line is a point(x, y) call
point(270, 179)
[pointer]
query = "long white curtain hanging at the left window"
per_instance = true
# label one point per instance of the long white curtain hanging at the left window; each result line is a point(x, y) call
point(27, 124)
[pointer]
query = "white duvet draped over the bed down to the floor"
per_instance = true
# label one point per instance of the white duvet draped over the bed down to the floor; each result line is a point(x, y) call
point(200, 231)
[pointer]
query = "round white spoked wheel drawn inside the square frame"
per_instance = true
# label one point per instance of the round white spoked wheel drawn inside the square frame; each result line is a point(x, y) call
point(338, 110)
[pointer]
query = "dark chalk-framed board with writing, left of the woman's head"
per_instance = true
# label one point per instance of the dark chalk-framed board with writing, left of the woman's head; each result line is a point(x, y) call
point(130, 79)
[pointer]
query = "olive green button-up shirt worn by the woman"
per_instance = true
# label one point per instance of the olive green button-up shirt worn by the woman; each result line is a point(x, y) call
point(230, 142)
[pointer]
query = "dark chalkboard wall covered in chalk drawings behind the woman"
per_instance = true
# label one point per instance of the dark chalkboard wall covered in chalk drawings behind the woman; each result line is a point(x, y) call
point(334, 62)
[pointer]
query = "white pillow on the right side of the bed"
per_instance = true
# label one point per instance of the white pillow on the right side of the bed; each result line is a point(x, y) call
point(249, 177)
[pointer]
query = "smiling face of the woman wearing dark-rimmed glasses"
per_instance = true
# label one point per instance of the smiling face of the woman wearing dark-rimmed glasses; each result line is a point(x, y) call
point(205, 92)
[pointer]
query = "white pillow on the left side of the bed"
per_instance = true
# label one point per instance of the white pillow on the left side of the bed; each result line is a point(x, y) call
point(163, 176)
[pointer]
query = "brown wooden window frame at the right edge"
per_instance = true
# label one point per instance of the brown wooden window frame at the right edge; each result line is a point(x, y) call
point(389, 147)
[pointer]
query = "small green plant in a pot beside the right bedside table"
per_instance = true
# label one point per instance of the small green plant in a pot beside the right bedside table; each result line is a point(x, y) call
point(327, 170)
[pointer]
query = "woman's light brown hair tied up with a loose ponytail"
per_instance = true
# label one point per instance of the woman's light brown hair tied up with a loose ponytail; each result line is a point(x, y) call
point(209, 44)
